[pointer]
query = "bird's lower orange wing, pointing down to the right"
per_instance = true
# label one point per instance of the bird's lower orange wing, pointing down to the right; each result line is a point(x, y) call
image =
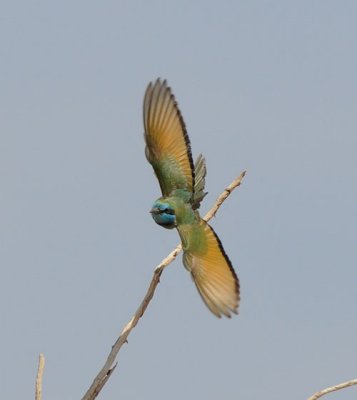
point(212, 271)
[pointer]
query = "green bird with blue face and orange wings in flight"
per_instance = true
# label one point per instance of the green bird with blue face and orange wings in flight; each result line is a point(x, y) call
point(182, 183)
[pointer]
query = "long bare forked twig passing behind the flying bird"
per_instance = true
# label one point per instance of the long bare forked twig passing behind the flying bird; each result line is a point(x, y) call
point(108, 367)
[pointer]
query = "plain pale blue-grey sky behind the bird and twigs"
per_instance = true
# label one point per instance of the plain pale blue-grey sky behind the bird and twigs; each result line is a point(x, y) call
point(267, 86)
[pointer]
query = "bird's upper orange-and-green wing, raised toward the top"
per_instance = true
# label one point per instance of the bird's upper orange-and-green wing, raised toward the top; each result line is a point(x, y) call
point(168, 147)
